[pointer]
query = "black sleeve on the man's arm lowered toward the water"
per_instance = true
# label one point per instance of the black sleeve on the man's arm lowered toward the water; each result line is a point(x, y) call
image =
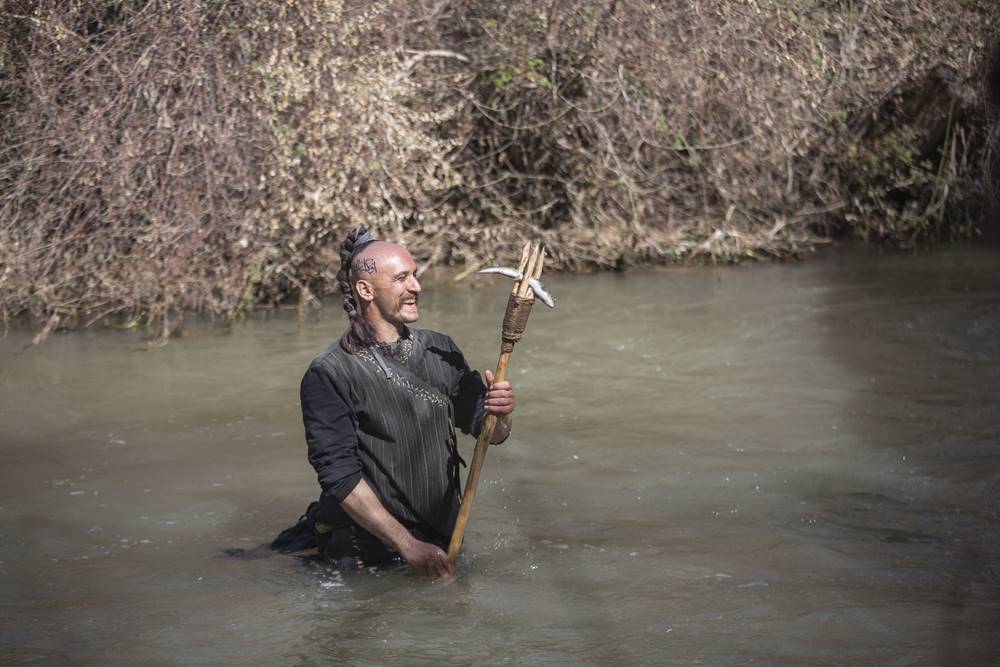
point(331, 433)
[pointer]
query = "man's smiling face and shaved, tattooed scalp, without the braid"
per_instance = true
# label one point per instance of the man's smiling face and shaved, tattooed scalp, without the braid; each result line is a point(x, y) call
point(392, 285)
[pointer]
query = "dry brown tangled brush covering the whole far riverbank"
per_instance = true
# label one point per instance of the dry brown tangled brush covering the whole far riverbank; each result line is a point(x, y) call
point(160, 156)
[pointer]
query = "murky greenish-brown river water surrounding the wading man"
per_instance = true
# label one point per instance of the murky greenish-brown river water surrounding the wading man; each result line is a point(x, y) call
point(770, 464)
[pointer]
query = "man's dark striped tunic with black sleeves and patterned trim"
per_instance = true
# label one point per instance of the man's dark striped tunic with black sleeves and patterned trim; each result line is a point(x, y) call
point(391, 421)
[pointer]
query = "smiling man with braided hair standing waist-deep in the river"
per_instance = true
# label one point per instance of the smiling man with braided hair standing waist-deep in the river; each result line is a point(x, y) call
point(380, 407)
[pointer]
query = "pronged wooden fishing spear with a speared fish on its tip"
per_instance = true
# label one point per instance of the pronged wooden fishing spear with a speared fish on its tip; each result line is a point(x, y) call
point(526, 288)
